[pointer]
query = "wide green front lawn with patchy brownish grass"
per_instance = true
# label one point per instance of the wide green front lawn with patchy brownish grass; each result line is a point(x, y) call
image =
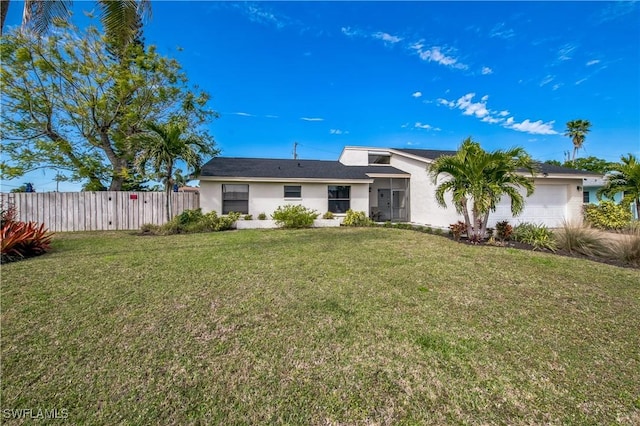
point(324, 326)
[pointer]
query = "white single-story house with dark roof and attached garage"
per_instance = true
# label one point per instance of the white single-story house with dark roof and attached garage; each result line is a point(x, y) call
point(389, 184)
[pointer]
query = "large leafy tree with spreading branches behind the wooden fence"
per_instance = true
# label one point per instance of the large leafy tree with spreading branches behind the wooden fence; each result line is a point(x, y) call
point(70, 104)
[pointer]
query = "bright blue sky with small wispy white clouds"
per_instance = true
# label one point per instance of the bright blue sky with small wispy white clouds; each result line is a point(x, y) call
point(405, 74)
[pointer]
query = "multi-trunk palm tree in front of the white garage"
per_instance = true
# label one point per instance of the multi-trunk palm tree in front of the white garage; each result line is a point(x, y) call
point(481, 178)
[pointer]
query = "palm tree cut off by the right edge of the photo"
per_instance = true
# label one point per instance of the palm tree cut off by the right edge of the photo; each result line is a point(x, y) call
point(624, 177)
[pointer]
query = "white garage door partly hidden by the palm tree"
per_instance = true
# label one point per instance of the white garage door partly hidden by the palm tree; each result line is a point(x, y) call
point(547, 205)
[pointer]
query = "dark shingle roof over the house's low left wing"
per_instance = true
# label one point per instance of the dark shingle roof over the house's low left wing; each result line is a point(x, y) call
point(289, 169)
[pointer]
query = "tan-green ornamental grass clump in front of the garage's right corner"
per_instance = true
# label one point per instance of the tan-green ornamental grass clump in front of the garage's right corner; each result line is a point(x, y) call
point(583, 240)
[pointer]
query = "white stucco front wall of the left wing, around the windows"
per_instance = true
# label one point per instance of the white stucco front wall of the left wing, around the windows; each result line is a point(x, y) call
point(266, 197)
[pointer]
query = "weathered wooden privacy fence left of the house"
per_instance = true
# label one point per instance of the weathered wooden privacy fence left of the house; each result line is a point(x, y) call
point(97, 211)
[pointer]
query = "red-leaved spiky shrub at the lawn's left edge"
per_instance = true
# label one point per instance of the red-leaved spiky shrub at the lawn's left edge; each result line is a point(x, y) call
point(20, 240)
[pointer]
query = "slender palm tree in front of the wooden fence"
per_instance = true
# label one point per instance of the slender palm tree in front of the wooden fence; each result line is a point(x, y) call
point(165, 144)
